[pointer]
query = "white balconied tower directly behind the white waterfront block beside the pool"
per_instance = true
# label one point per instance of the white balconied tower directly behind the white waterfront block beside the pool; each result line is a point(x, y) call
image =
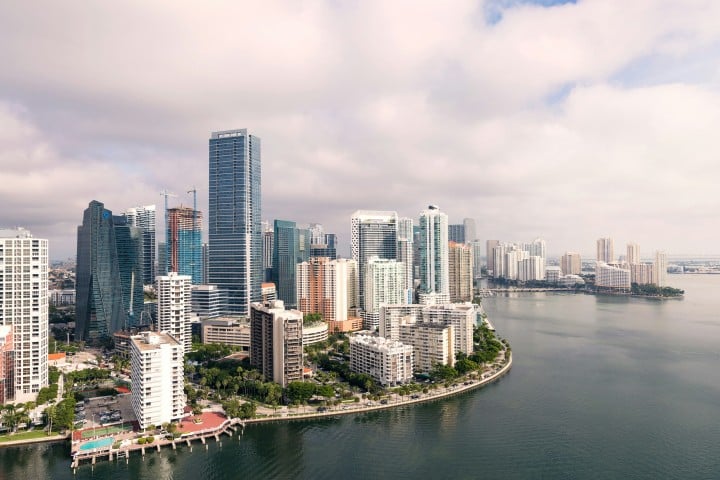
point(174, 294)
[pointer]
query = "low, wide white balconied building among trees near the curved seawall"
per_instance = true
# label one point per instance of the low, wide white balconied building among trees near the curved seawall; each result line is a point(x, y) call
point(388, 362)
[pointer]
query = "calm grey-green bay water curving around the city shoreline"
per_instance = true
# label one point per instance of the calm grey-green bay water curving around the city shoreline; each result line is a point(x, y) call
point(601, 387)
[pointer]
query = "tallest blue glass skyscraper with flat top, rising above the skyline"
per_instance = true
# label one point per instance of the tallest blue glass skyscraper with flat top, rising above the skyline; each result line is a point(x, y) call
point(235, 232)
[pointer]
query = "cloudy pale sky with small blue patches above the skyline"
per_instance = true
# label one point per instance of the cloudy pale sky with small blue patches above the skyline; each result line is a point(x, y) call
point(563, 120)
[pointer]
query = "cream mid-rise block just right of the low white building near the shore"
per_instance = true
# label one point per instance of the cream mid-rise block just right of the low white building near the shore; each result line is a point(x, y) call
point(432, 344)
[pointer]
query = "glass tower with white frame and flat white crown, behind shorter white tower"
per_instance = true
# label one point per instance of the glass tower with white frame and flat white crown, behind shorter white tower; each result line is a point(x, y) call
point(372, 234)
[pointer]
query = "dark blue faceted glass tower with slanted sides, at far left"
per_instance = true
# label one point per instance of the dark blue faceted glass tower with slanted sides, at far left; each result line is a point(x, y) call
point(99, 309)
